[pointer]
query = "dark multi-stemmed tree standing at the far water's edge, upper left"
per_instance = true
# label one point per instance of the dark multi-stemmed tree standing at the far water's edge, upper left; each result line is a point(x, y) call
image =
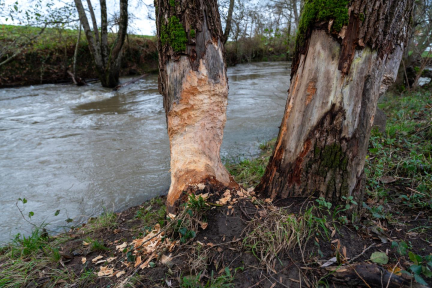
point(107, 60)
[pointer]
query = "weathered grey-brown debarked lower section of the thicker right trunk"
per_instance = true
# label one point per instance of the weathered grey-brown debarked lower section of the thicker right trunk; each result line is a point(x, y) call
point(323, 139)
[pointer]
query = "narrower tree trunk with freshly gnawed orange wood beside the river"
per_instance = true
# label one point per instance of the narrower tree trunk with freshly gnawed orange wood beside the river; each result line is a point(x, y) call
point(194, 84)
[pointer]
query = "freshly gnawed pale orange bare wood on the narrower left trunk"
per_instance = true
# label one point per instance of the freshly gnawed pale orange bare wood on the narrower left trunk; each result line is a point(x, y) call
point(195, 129)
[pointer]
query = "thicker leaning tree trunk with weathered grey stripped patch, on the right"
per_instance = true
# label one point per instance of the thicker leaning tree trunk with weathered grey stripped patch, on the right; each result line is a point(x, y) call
point(345, 56)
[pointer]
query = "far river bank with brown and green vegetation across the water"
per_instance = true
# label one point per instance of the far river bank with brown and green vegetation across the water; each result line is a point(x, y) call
point(51, 57)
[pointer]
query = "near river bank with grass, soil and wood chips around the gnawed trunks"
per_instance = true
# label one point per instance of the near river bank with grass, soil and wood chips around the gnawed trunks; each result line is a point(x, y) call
point(245, 241)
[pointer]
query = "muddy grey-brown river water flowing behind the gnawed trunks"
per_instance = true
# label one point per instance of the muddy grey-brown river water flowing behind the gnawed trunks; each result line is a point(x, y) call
point(80, 149)
